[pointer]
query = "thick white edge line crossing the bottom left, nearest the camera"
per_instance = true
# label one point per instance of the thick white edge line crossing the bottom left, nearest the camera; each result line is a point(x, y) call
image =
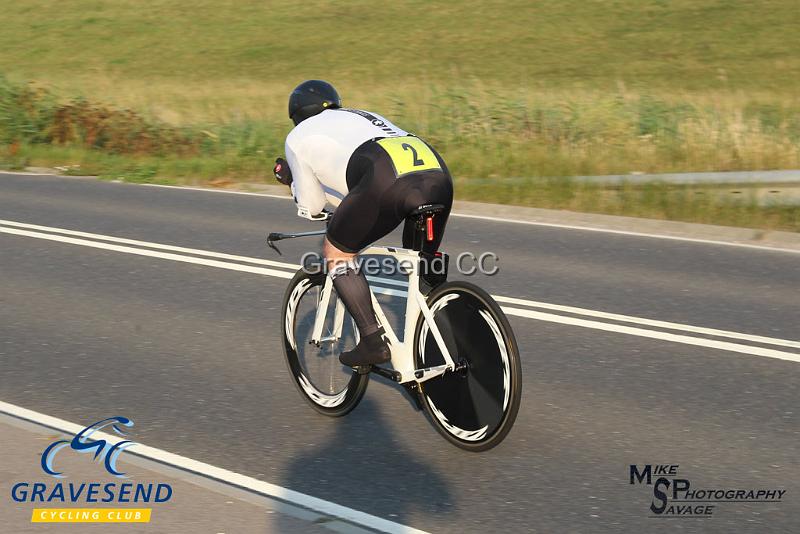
point(220, 474)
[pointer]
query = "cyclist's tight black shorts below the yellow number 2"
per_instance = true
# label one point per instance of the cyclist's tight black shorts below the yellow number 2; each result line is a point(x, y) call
point(378, 200)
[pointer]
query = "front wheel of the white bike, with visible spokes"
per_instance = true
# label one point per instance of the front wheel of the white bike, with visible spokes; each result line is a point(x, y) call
point(329, 387)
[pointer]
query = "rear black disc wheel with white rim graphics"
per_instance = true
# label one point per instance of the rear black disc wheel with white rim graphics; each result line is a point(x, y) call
point(475, 407)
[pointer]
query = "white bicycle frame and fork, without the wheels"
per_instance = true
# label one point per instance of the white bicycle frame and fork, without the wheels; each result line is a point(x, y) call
point(402, 350)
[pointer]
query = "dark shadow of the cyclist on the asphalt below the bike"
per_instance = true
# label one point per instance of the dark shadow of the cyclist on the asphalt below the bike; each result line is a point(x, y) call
point(363, 466)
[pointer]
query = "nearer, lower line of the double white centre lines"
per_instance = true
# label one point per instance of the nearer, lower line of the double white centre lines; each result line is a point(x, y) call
point(722, 345)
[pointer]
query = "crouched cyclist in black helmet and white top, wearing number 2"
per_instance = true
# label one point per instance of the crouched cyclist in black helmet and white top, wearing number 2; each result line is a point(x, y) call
point(376, 174)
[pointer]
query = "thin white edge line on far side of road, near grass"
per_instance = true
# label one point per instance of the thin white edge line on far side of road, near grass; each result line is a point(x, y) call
point(534, 223)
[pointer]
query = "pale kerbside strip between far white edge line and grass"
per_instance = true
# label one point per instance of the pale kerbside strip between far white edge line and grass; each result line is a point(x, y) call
point(556, 218)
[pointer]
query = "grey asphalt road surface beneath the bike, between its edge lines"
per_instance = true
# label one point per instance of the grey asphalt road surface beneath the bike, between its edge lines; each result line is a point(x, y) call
point(191, 353)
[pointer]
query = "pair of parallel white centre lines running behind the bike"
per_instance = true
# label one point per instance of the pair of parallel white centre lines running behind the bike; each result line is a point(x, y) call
point(721, 345)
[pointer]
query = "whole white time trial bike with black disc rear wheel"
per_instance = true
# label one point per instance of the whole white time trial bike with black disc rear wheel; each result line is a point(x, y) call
point(457, 357)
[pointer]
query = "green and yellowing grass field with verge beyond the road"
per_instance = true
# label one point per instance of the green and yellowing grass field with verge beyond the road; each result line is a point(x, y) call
point(503, 89)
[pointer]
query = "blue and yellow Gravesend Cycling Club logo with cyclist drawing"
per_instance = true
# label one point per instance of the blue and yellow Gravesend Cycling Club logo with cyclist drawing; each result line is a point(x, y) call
point(104, 440)
